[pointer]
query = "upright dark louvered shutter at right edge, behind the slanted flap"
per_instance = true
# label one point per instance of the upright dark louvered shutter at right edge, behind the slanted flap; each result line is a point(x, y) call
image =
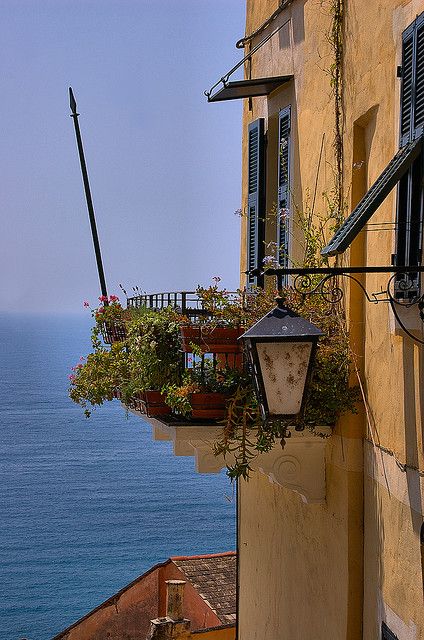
point(409, 218)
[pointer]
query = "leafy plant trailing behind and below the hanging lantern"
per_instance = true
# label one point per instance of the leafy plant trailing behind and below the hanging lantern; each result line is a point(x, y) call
point(328, 397)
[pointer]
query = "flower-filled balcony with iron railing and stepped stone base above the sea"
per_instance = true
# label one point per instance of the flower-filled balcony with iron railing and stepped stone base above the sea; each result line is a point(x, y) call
point(174, 359)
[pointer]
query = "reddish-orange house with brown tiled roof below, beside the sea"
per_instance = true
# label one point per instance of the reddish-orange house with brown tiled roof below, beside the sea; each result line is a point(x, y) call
point(208, 604)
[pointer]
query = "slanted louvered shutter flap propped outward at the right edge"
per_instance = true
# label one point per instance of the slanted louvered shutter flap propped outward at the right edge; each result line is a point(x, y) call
point(381, 188)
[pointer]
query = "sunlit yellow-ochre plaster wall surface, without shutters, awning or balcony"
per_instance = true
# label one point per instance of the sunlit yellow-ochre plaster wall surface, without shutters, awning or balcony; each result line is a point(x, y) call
point(304, 568)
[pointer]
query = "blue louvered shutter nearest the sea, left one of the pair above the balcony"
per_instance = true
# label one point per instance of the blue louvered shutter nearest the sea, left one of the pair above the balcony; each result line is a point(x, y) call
point(256, 201)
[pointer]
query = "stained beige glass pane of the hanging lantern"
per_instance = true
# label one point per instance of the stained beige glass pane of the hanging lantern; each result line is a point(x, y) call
point(284, 367)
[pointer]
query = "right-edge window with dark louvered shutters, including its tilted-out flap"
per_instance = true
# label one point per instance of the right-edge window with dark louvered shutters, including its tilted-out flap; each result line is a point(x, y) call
point(405, 170)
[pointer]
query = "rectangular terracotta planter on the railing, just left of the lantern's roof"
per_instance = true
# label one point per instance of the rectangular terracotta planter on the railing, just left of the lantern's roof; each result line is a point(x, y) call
point(211, 339)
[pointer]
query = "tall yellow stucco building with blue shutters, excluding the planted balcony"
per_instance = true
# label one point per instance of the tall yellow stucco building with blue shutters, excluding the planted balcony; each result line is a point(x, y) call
point(325, 117)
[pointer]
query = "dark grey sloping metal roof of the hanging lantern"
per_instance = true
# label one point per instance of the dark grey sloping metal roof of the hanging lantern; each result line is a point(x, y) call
point(282, 322)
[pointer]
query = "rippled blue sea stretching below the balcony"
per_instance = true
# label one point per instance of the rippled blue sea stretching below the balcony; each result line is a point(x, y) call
point(85, 505)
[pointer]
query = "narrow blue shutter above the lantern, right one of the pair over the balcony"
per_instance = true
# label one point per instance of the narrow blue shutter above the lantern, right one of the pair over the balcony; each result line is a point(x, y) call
point(283, 212)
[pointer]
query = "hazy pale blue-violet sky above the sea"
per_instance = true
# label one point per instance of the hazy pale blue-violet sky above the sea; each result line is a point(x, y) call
point(164, 165)
